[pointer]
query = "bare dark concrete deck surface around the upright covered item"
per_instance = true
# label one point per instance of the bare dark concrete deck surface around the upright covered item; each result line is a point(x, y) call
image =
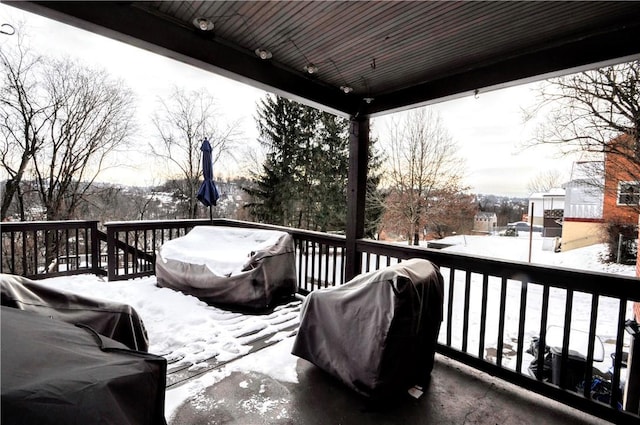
point(457, 395)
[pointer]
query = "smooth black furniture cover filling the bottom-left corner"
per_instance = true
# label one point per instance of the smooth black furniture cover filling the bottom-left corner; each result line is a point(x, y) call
point(57, 373)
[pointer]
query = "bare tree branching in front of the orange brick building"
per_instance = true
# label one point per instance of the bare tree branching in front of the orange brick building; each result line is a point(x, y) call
point(595, 113)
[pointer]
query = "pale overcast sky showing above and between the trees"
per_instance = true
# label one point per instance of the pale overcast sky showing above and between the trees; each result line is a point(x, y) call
point(488, 129)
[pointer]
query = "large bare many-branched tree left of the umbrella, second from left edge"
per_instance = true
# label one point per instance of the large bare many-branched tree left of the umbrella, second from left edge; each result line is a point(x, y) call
point(91, 119)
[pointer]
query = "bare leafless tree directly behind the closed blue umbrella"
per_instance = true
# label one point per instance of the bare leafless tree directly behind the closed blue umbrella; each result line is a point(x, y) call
point(182, 122)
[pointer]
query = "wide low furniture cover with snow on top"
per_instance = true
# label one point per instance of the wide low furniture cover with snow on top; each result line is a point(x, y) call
point(230, 266)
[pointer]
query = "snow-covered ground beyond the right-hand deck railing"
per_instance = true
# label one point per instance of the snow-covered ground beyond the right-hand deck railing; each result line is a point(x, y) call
point(517, 249)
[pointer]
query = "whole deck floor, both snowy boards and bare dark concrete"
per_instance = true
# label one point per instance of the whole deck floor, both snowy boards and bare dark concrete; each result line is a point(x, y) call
point(231, 368)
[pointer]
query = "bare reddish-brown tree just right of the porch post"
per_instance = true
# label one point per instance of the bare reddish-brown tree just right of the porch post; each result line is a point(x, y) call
point(423, 161)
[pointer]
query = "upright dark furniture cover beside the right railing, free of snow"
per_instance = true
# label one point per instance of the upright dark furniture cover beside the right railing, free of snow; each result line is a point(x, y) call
point(376, 333)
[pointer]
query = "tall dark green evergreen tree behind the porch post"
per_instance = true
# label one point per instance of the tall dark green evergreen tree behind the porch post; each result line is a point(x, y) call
point(303, 181)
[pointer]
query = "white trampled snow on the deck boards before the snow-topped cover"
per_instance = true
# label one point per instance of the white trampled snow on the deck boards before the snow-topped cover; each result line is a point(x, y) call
point(181, 328)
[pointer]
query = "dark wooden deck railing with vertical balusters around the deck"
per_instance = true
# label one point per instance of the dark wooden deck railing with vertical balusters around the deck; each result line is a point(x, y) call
point(495, 311)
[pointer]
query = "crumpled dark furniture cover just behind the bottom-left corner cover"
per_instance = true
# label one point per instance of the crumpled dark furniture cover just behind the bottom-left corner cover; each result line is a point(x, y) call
point(113, 320)
